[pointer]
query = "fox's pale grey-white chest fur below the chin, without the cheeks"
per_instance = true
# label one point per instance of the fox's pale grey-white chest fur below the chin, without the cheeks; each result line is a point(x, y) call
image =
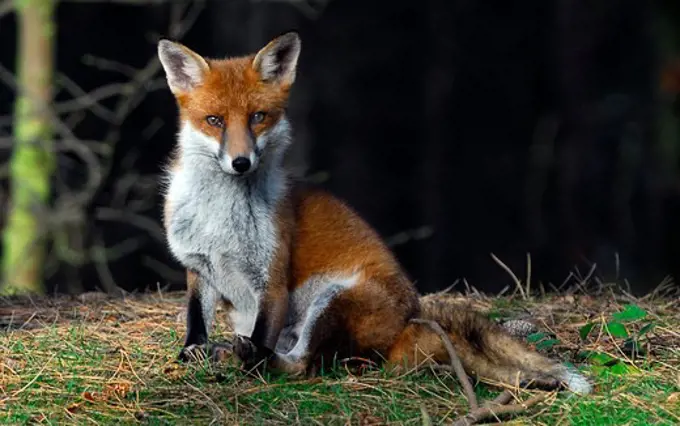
point(223, 227)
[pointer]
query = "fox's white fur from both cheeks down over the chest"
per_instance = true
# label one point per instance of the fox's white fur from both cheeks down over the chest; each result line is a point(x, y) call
point(224, 226)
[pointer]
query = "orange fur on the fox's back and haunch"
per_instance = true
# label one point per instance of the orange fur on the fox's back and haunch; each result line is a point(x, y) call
point(330, 238)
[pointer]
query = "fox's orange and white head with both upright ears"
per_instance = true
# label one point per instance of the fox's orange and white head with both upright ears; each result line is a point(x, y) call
point(232, 110)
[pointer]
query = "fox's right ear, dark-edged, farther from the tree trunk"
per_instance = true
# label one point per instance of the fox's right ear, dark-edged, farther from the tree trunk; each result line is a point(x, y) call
point(277, 61)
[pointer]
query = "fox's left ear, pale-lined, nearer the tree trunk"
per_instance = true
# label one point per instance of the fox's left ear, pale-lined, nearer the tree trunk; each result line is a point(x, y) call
point(184, 68)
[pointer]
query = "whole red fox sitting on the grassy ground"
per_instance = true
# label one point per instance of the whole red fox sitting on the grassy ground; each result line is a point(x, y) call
point(301, 274)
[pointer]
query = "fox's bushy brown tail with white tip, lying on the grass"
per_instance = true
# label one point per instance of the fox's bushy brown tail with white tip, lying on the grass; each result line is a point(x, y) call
point(486, 350)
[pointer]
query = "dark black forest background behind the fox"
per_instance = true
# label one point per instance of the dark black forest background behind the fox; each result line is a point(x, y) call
point(458, 128)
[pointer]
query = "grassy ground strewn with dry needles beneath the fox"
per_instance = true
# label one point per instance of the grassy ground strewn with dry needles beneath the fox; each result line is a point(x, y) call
point(98, 360)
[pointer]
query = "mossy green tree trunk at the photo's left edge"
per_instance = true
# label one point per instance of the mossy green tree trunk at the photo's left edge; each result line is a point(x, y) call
point(32, 160)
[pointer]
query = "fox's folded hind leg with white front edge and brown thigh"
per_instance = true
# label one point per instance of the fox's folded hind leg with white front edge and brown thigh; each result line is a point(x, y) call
point(352, 316)
